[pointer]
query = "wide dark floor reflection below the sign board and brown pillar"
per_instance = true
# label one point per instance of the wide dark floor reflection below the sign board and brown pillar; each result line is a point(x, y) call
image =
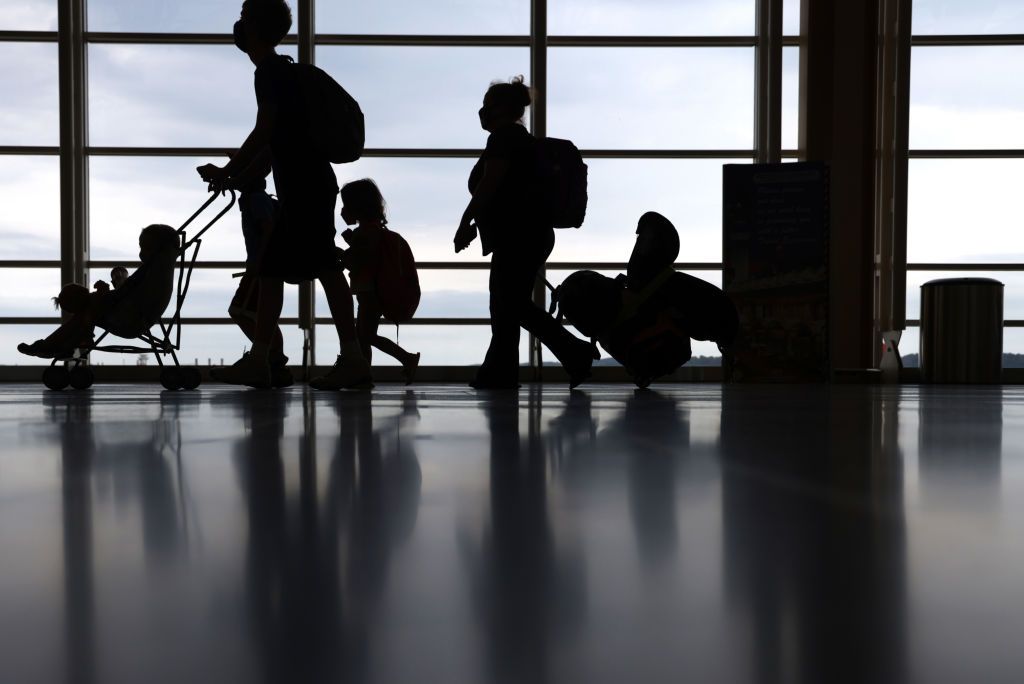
point(816, 536)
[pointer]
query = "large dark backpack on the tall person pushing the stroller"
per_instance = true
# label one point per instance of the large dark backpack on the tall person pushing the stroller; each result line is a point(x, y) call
point(335, 120)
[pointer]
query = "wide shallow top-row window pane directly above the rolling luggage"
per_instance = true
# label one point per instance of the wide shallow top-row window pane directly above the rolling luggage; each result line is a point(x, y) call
point(655, 18)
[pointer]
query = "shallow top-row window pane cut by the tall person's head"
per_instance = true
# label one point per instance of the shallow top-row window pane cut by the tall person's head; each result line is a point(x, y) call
point(163, 17)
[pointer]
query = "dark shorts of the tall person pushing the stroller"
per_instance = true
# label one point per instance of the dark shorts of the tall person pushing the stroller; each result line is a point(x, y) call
point(302, 245)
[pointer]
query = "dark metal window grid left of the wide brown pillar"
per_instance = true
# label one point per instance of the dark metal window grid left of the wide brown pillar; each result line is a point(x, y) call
point(73, 39)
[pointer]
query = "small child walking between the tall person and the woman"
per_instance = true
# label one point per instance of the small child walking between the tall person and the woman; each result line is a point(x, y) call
point(363, 206)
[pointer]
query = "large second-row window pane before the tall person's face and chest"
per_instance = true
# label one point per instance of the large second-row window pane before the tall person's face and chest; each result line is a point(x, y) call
point(149, 96)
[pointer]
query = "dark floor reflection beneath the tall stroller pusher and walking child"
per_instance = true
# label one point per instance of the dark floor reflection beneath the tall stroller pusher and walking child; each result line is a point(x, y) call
point(315, 579)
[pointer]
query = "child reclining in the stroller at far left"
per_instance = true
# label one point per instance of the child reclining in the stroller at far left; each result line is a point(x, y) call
point(129, 311)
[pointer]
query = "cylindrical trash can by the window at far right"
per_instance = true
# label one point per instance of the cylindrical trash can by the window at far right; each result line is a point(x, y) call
point(962, 330)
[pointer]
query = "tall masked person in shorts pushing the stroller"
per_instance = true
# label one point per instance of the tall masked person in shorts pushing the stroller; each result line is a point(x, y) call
point(301, 247)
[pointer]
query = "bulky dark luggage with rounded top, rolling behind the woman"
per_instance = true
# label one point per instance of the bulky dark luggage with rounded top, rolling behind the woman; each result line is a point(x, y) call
point(646, 319)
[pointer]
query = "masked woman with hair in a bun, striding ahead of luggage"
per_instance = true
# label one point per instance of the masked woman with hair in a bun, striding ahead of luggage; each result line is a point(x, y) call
point(514, 229)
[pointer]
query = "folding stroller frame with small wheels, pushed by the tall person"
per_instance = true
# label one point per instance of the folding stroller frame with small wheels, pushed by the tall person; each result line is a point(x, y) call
point(75, 371)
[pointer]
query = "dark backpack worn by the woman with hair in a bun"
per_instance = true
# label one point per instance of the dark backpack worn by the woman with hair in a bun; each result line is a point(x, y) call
point(563, 179)
